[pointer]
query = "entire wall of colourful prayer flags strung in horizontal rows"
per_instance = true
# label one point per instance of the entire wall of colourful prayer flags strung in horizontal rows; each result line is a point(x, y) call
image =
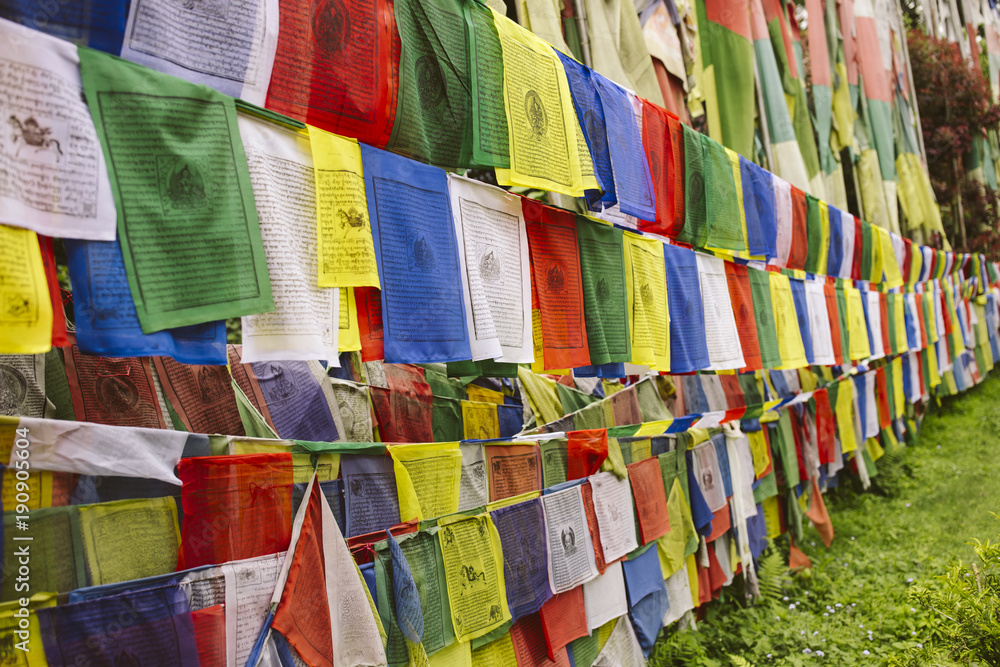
point(367, 513)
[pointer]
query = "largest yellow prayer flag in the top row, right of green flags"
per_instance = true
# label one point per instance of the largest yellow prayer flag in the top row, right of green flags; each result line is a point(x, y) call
point(547, 149)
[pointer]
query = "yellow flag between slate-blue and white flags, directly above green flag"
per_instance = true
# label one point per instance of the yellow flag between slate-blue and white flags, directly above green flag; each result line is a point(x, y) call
point(433, 472)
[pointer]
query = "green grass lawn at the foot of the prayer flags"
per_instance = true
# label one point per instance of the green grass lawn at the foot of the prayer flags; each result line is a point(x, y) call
point(927, 503)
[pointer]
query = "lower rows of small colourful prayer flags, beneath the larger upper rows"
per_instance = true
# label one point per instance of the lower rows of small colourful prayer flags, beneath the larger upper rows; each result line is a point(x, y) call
point(562, 543)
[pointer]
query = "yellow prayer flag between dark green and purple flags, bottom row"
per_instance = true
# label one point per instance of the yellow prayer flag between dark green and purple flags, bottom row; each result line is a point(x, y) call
point(473, 567)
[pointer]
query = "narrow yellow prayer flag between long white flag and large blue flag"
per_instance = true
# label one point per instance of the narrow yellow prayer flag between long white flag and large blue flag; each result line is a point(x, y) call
point(343, 231)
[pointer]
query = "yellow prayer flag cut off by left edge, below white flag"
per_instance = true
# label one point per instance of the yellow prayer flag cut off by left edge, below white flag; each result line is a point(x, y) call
point(25, 309)
